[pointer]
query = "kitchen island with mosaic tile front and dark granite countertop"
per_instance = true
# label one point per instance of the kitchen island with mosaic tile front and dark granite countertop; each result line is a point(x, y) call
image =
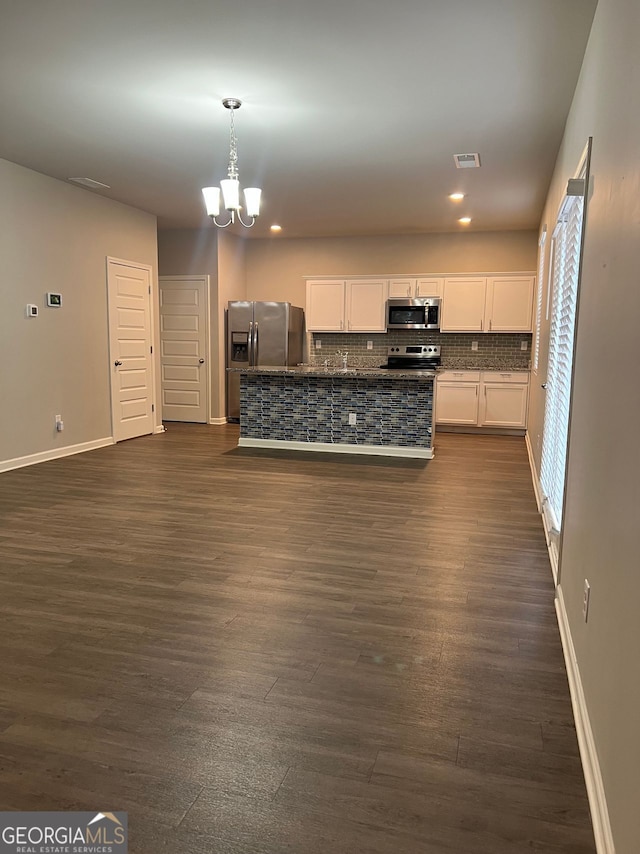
point(373, 411)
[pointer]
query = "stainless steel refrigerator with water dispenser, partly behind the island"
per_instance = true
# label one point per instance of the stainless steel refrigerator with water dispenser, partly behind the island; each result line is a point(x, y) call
point(258, 334)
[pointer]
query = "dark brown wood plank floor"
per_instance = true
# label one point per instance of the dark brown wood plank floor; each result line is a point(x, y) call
point(257, 652)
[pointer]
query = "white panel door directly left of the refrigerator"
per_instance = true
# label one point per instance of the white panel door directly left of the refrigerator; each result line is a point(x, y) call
point(183, 343)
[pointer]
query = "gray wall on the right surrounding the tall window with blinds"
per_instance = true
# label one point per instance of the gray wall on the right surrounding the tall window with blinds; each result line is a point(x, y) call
point(601, 540)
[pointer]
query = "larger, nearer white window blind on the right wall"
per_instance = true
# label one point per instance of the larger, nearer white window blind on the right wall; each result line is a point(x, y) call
point(566, 269)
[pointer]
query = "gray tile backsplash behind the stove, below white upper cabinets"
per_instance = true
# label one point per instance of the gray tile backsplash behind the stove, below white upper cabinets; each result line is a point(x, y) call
point(504, 348)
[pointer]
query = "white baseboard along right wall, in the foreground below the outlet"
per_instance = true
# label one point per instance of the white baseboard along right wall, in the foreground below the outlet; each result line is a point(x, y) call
point(586, 742)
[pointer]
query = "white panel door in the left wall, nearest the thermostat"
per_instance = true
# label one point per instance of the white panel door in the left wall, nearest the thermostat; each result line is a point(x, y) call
point(129, 295)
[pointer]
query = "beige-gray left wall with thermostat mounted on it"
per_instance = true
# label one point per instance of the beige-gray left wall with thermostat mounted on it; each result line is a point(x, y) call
point(56, 237)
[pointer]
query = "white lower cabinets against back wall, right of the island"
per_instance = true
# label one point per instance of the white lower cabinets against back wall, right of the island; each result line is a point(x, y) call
point(482, 399)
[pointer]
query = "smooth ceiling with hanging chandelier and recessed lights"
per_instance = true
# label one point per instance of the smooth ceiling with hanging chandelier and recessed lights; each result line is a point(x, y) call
point(352, 109)
